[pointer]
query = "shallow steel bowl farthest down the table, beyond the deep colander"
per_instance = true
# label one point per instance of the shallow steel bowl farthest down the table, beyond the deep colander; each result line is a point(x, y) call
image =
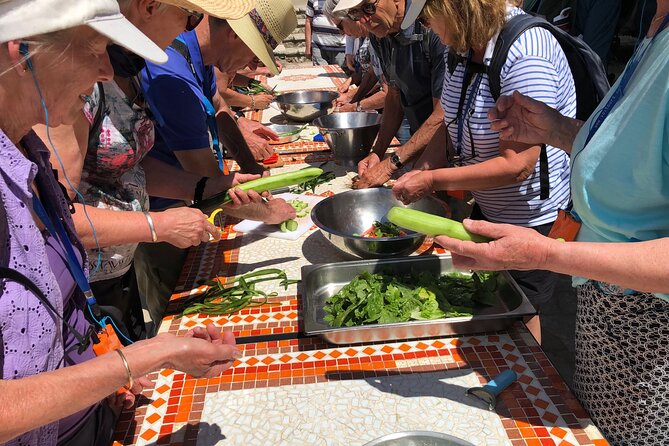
point(305, 106)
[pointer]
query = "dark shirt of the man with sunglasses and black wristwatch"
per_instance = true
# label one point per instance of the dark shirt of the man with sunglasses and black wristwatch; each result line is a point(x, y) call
point(413, 61)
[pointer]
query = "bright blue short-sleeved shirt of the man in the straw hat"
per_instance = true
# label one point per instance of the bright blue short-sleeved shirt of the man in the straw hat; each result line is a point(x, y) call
point(173, 91)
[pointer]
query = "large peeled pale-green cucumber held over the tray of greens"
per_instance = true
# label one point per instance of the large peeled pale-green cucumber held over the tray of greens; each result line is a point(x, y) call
point(432, 225)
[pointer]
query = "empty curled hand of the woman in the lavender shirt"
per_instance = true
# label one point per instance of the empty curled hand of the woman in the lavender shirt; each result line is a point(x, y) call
point(202, 352)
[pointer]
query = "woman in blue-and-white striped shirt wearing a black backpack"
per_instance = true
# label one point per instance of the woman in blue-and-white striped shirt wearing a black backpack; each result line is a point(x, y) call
point(503, 177)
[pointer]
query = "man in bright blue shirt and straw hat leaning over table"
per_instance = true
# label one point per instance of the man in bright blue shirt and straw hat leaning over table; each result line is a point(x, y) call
point(187, 108)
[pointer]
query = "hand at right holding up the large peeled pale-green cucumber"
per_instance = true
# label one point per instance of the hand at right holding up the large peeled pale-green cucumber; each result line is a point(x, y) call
point(513, 247)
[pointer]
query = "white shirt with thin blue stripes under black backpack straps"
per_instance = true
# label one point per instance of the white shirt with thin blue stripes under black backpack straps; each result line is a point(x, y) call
point(537, 67)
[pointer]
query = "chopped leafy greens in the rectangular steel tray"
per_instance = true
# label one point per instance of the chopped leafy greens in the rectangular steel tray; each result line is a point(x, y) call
point(386, 298)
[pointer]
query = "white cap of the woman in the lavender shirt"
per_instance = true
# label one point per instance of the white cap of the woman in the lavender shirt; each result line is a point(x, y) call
point(20, 19)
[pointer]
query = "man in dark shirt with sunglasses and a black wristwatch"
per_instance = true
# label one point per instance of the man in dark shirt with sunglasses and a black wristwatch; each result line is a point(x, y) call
point(413, 66)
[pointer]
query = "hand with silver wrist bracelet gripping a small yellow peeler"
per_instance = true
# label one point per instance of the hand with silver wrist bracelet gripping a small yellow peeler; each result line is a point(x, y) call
point(184, 227)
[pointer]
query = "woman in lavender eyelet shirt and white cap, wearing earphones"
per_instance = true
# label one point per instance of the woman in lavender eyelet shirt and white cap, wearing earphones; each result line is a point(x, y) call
point(53, 388)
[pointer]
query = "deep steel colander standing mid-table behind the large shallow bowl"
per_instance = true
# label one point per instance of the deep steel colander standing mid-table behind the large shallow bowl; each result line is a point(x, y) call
point(349, 135)
